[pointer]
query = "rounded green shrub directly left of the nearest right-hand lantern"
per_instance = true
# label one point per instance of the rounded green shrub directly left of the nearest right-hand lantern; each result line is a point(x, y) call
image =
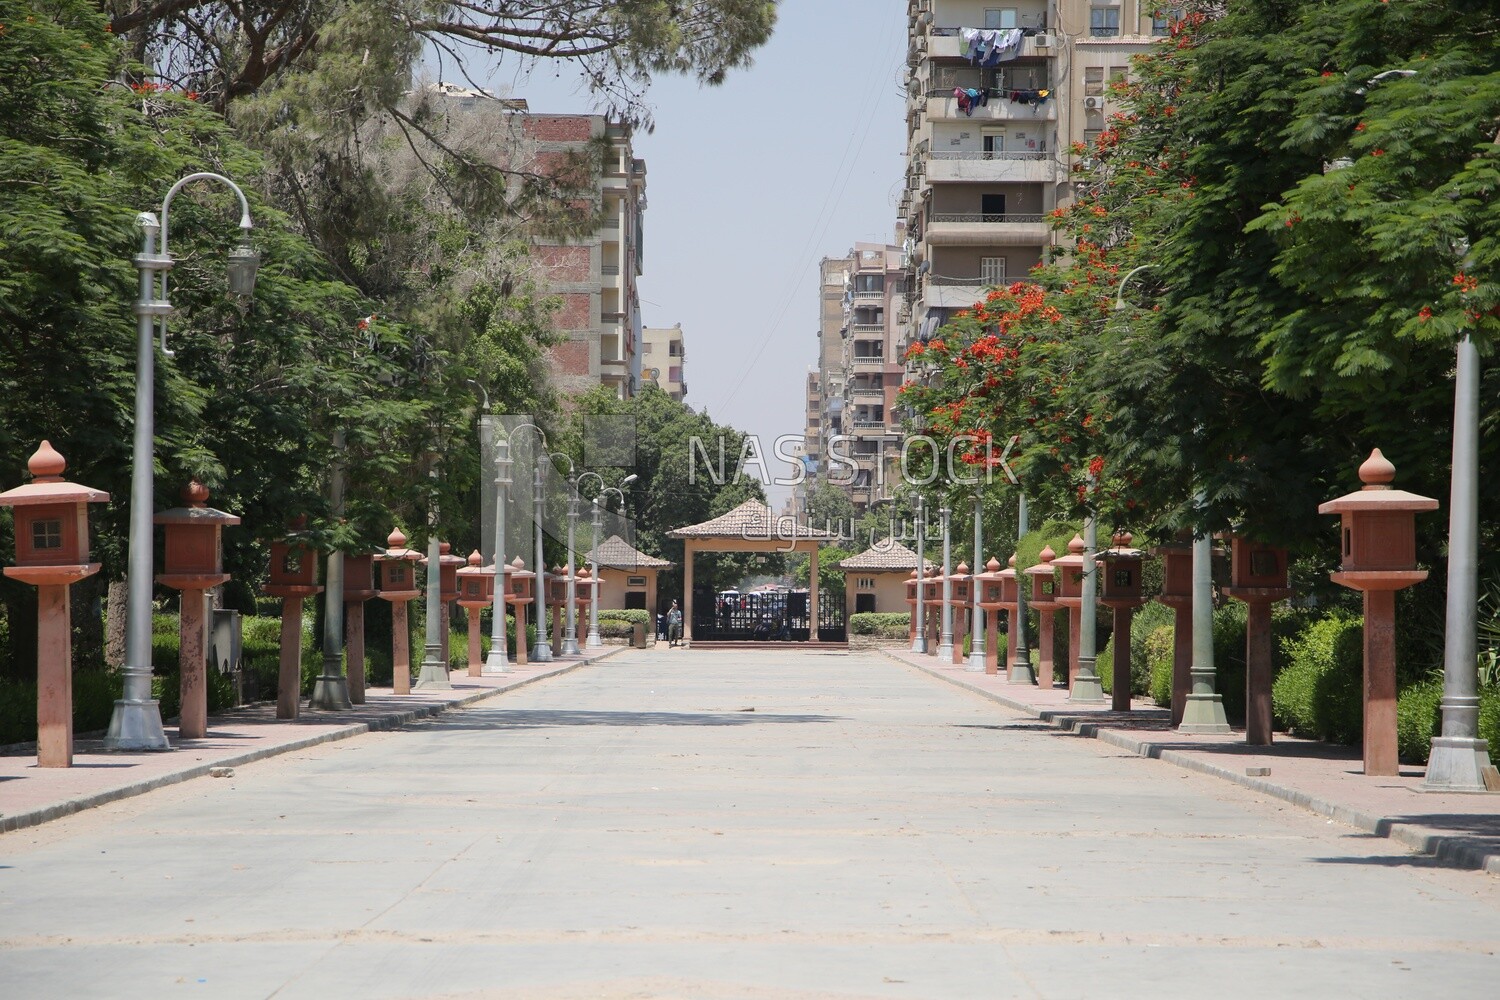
point(1319, 692)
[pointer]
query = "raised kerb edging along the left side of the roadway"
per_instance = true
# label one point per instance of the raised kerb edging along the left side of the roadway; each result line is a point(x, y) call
point(383, 723)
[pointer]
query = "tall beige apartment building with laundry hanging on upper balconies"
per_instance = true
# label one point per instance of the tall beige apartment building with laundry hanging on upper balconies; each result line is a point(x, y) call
point(989, 143)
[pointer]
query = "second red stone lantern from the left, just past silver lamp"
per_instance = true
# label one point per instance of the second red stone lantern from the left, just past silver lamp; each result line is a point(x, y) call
point(193, 563)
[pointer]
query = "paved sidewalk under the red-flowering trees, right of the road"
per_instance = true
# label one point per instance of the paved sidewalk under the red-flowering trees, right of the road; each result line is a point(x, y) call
point(1457, 830)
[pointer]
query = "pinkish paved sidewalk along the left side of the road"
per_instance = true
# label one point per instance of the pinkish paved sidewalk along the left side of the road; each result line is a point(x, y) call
point(31, 795)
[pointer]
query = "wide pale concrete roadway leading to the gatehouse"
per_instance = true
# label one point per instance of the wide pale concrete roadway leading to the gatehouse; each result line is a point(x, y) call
point(677, 824)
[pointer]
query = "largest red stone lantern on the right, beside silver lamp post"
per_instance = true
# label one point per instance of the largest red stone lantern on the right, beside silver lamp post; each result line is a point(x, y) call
point(1379, 545)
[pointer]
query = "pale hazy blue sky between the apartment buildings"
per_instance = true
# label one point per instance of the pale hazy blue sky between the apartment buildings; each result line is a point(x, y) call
point(751, 185)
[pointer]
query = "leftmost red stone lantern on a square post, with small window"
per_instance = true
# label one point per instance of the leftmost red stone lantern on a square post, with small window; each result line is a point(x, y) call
point(52, 552)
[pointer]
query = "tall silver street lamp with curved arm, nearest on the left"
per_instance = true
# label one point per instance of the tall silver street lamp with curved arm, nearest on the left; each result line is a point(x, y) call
point(137, 719)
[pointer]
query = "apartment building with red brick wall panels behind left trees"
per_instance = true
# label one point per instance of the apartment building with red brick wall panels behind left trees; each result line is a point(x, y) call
point(595, 278)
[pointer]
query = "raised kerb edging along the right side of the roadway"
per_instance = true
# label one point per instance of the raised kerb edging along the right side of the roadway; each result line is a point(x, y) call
point(1460, 852)
